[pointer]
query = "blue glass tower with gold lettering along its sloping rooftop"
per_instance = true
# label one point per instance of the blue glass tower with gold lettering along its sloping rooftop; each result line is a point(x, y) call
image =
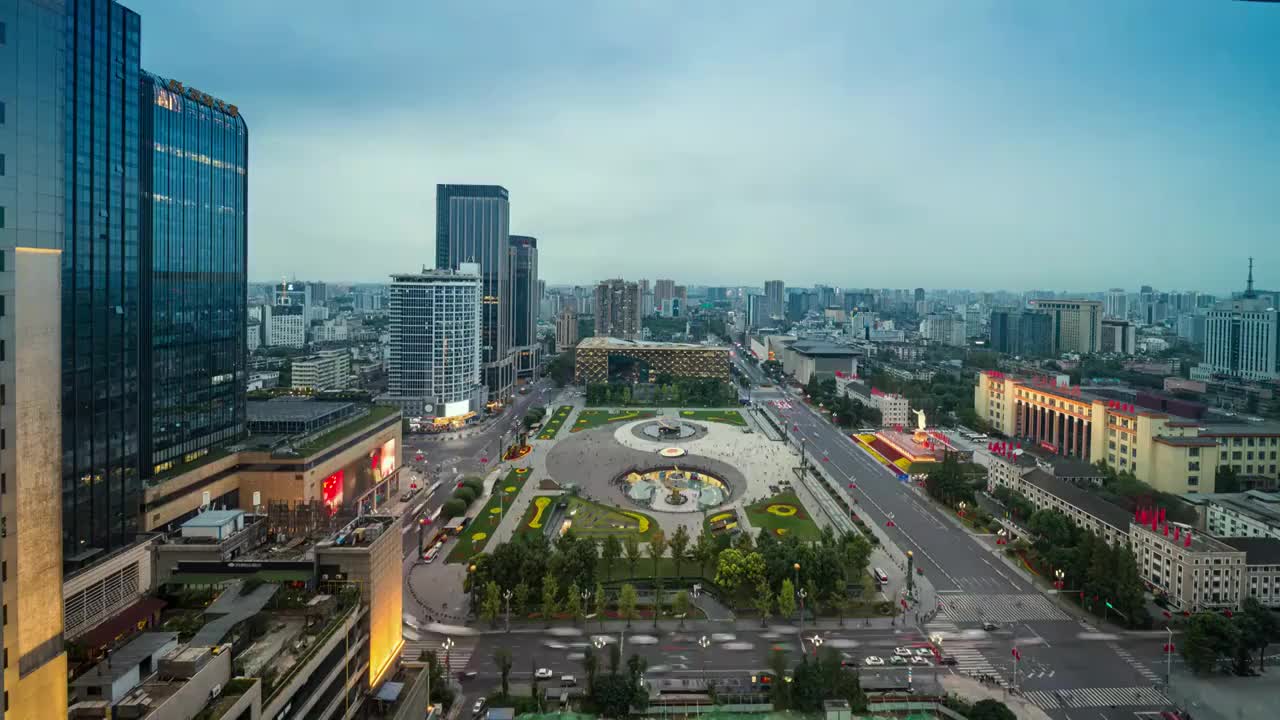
point(195, 282)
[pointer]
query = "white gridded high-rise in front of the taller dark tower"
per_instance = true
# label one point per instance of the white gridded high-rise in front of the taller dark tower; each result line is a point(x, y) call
point(436, 358)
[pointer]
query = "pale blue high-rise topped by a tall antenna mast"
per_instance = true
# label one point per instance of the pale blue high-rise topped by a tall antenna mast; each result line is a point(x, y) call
point(1242, 338)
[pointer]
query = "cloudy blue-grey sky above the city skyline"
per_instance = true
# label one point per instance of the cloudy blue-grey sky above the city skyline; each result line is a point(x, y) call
point(936, 143)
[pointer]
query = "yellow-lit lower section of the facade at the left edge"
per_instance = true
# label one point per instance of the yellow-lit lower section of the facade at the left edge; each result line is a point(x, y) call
point(31, 522)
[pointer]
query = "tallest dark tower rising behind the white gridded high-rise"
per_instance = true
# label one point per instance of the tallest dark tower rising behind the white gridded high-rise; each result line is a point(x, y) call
point(472, 226)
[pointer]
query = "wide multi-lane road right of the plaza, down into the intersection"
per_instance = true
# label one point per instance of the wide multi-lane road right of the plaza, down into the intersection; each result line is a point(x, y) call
point(975, 586)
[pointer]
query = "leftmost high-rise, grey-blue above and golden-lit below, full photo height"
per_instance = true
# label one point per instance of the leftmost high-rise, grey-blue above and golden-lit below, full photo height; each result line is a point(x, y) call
point(33, 227)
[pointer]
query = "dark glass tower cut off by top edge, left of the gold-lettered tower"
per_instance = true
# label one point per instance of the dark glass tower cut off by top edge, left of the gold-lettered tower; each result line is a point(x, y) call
point(102, 484)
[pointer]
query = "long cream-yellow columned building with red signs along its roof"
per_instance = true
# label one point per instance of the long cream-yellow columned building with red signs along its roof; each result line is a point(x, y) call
point(1171, 454)
